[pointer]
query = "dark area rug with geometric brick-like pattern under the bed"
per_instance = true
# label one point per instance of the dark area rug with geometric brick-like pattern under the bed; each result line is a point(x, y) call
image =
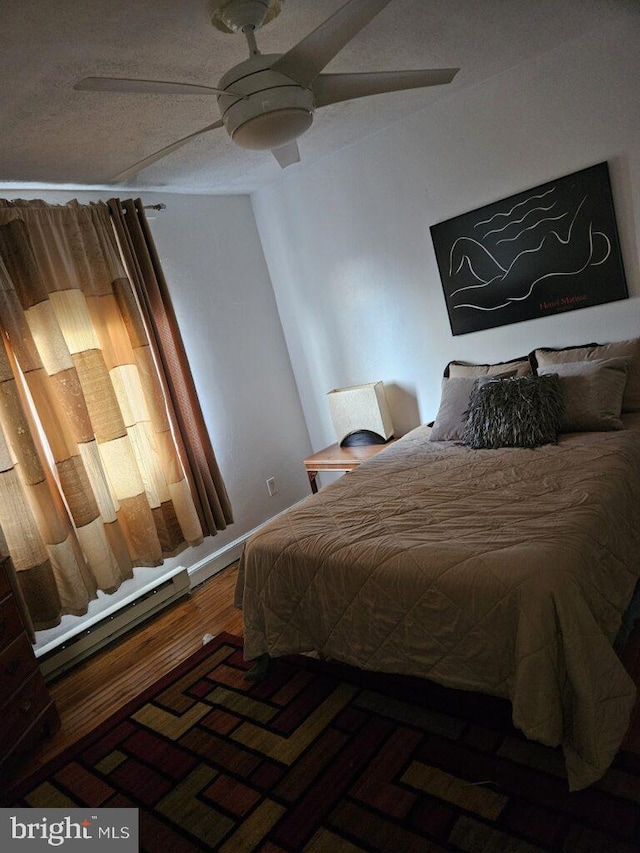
point(320, 757)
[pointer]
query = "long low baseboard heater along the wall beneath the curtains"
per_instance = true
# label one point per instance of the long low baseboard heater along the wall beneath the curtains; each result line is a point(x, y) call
point(108, 628)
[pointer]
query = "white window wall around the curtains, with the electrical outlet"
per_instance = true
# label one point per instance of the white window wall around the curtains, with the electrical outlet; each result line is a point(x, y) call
point(221, 291)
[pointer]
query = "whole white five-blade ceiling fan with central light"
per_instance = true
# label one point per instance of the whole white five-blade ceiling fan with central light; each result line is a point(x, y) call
point(268, 101)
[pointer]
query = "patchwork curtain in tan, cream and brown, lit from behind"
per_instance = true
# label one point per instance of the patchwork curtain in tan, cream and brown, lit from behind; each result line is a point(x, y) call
point(92, 482)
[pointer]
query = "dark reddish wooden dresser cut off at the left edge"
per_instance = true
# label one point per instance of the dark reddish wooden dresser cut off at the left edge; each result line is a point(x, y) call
point(27, 711)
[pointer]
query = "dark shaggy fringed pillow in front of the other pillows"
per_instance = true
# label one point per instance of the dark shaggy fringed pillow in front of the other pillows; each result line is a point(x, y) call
point(524, 411)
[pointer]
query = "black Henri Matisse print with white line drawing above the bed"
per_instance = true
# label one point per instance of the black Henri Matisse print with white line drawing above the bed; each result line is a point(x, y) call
point(550, 249)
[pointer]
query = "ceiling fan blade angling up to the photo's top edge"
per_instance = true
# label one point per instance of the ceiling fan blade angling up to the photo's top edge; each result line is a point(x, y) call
point(306, 60)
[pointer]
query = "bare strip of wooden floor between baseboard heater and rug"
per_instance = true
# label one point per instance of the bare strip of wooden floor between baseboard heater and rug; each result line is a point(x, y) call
point(100, 685)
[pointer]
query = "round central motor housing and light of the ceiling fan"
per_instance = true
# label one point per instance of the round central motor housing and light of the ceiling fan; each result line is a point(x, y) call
point(275, 110)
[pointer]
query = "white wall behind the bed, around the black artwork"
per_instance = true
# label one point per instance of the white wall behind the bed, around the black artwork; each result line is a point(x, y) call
point(348, 246)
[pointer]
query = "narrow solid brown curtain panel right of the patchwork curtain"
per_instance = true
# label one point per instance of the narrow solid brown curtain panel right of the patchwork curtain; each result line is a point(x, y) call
point(145, 271)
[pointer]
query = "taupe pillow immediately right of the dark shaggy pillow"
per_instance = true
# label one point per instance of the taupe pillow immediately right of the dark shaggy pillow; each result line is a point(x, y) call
point(592, 393)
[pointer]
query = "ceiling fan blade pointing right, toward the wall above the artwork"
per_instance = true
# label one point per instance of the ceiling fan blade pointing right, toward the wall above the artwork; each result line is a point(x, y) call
point(332, 88)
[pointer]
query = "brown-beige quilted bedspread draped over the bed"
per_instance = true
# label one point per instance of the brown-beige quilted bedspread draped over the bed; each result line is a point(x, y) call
point(502, 571)
